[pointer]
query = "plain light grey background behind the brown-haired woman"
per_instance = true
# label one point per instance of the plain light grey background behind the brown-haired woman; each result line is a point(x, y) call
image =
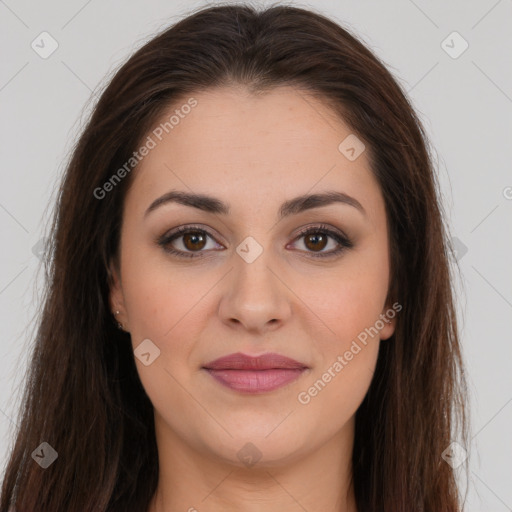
point(464, 102)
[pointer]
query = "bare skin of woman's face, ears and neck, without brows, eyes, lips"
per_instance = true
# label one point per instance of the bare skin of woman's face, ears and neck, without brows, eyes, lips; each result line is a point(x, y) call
point(253, 152)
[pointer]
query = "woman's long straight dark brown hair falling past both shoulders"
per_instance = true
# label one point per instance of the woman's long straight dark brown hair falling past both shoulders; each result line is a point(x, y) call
point(83, 395)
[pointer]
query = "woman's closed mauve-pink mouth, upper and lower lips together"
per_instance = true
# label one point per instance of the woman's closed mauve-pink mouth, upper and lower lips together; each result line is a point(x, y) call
point(248, 374)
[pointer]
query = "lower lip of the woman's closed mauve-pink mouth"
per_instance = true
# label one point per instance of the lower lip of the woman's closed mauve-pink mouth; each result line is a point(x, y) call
point(256, 381)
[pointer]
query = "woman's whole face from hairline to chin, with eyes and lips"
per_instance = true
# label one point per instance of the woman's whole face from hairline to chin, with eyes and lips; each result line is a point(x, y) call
point(244, 279)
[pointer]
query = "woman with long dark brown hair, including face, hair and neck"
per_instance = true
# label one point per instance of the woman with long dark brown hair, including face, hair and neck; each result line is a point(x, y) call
point(250, 303)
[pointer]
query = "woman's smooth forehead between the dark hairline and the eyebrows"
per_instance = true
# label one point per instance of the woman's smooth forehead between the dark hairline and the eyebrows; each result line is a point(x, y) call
point(251, 148)
